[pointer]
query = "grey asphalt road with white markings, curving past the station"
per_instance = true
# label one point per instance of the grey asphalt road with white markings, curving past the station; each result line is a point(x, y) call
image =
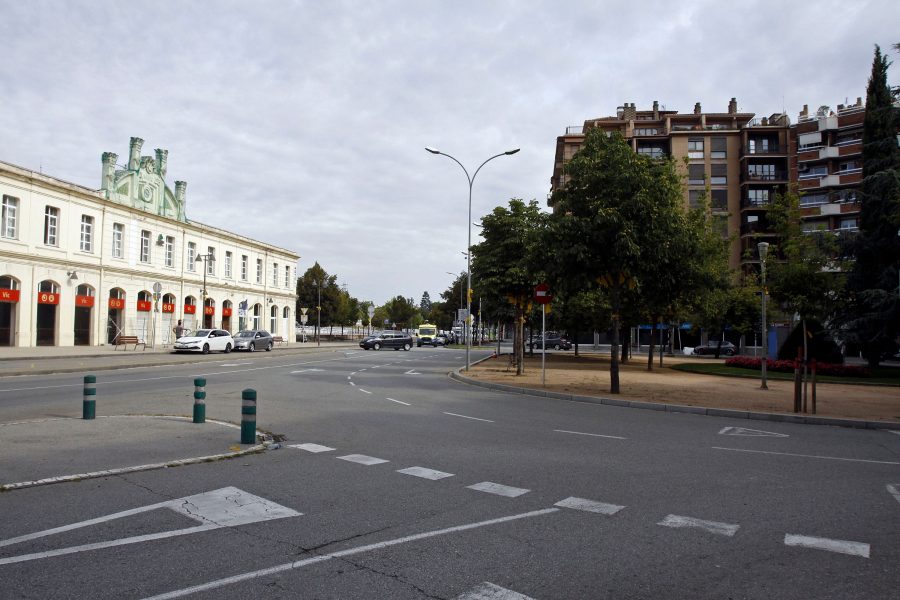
point(398, 482)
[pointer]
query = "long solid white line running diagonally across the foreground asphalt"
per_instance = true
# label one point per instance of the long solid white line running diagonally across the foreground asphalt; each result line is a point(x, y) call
point(349, 552)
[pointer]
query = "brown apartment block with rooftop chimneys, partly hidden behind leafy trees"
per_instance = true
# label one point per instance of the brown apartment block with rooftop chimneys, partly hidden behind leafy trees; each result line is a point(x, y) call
point(737, 160)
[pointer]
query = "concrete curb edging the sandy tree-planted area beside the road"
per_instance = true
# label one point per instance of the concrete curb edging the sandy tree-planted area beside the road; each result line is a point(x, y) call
point(677, 408)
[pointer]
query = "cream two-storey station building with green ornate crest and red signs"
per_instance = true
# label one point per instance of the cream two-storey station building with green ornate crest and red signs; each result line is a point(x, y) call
point(80, 266)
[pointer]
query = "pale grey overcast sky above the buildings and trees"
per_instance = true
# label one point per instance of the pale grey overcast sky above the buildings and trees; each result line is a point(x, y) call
point(303, 124)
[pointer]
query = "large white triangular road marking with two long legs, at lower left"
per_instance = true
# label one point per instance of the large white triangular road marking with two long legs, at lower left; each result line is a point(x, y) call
point(225, 507)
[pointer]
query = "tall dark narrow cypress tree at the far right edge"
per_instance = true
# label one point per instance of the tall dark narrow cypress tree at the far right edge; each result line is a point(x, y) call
point(872, 321)
